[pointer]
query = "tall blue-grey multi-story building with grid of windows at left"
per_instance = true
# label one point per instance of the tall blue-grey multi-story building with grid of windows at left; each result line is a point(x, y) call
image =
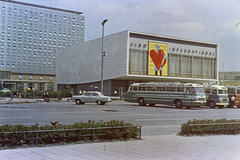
point(30, 36)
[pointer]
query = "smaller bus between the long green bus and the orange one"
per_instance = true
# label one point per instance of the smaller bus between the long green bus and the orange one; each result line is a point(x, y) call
point(216, 96)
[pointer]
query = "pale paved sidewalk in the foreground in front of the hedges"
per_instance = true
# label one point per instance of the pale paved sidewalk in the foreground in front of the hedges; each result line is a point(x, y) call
point(163, 147)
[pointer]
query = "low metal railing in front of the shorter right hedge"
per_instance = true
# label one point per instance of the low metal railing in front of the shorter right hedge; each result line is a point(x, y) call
point(212, 124)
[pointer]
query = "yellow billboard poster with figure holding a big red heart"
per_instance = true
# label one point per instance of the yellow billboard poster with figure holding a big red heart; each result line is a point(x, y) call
point(157, 60)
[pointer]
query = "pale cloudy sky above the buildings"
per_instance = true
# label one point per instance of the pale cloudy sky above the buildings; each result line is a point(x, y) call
point(216, 21)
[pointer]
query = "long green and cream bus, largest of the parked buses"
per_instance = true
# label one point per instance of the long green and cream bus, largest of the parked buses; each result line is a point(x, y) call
point(178, 94)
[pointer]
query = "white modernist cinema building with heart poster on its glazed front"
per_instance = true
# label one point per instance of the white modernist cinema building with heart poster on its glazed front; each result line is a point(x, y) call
point(132, 57)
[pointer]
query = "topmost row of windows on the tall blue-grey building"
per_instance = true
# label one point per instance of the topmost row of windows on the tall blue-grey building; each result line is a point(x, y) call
point(36, 14)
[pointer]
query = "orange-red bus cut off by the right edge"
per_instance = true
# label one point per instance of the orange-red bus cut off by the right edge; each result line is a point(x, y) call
point(234, 96)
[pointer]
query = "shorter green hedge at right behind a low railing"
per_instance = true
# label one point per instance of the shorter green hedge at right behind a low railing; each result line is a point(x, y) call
point(226, 128)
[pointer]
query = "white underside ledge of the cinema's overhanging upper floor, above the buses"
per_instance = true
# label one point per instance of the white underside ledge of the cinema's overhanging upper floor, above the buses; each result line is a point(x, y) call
point(149, 78)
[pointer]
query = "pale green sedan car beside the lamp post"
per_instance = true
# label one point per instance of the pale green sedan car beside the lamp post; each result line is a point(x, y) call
point(91, 97)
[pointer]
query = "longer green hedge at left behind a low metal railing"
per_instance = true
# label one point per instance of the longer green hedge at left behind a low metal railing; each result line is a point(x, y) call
point(15, 139)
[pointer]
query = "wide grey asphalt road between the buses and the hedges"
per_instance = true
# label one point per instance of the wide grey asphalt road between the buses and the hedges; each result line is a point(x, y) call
point(158, 120)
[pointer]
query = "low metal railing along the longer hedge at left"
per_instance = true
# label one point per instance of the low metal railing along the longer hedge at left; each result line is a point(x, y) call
point(67, 130)
